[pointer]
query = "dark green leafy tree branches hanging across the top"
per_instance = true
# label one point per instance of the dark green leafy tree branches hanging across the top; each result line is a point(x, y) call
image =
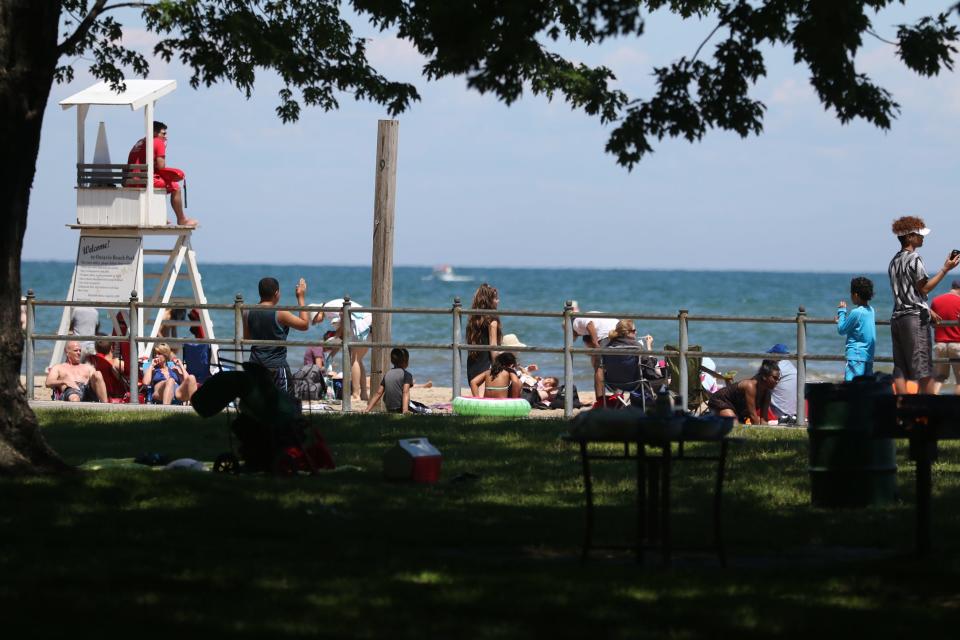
point(502, 47)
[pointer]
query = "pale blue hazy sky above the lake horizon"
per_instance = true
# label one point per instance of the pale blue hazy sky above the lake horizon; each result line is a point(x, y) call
point(482, 184)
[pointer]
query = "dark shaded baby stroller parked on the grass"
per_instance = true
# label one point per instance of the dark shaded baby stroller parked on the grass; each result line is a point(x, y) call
point(271, 434)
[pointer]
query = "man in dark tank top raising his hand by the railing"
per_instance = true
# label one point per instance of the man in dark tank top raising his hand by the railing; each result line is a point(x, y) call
point(266, 323)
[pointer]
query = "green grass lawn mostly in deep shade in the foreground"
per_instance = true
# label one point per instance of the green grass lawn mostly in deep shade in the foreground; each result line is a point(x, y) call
point(147, 553)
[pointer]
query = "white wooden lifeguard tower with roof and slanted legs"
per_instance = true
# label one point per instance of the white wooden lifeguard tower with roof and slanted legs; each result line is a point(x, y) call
point(118, 215)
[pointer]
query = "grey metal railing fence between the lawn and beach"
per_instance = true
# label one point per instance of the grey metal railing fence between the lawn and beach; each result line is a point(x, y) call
point(456, 346)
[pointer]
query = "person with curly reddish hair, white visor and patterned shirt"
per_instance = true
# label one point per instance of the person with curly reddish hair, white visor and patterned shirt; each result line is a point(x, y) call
point(911, 320)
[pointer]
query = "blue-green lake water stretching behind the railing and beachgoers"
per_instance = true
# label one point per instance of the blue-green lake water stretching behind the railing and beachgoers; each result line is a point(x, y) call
point(620, 293)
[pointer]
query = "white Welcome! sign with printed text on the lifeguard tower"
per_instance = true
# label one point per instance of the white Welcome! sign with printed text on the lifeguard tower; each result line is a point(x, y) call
point(106, 269)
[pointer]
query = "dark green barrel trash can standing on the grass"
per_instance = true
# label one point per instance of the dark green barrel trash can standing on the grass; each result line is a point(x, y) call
point(848, 466)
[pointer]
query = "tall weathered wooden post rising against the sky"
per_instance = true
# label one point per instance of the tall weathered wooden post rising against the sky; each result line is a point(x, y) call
point(381, 284)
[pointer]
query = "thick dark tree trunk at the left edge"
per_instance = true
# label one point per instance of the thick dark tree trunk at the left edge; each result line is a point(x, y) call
point(28, 58)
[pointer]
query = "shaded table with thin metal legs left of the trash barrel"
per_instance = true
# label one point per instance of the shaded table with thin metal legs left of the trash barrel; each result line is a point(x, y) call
point(654, 471)
